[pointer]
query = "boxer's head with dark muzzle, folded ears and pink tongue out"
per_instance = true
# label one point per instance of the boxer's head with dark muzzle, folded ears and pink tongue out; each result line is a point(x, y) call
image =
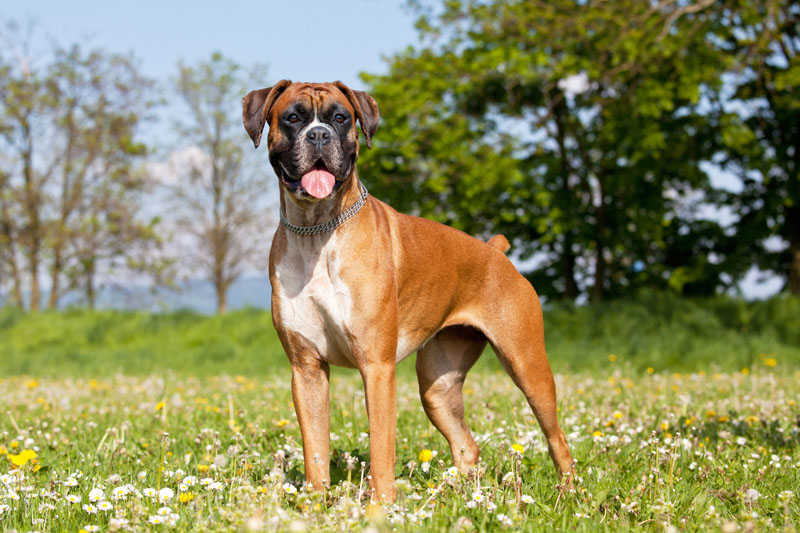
point(312, 140)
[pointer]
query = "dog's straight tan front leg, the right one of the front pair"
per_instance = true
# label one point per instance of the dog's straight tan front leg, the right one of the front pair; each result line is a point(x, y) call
point(381, 397)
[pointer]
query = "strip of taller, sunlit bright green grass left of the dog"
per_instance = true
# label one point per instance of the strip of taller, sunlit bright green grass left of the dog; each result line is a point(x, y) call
point(103, 343)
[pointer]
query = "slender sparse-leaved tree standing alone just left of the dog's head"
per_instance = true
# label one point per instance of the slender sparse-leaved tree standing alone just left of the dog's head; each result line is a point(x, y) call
point(219, 196)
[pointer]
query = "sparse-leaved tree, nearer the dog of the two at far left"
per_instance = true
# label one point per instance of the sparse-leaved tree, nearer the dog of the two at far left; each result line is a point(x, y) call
point(101, 100)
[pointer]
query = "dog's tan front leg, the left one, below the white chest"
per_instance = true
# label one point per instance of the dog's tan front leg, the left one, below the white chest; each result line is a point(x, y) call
point(310, 391)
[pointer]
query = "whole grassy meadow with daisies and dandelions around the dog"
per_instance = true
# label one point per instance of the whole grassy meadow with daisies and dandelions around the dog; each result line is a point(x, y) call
point(680, 416)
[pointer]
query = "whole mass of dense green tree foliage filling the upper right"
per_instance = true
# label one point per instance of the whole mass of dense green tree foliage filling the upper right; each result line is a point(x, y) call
point(580, 131)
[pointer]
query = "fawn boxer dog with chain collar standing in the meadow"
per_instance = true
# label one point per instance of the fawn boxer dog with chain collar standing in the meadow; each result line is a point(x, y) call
point(357, 284)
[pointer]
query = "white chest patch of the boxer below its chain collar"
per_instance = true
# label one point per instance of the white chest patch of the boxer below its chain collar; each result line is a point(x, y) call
point(315, 302)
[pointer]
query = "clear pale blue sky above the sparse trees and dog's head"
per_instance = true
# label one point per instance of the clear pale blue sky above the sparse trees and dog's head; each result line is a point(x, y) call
point(303, 40)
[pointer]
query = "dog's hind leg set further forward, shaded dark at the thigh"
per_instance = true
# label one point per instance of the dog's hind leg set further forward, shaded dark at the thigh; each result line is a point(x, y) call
point(442, 365)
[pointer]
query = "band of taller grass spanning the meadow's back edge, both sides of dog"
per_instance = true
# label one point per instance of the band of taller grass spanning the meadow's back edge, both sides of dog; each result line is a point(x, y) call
point(658, 330)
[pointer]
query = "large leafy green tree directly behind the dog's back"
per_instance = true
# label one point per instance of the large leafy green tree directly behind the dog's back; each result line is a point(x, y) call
point(577, 127)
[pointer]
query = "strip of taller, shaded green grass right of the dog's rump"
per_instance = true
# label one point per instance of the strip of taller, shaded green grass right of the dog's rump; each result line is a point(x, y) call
point(666, 332)
